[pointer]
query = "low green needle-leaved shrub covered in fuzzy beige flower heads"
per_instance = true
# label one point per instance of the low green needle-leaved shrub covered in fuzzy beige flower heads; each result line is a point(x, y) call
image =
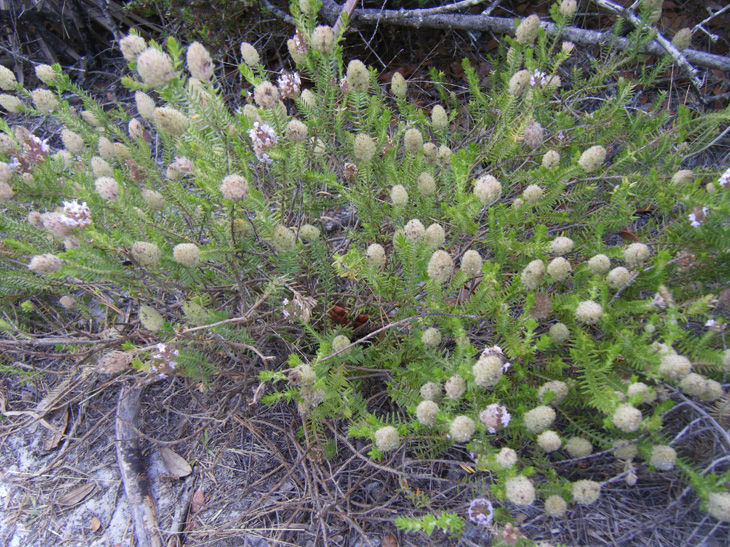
point(252, 277)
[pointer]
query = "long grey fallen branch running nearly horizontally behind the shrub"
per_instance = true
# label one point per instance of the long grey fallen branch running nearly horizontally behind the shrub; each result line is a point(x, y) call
point(505, 25)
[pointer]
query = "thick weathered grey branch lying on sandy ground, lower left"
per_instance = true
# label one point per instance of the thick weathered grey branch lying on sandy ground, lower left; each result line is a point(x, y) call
point(134, 477)
